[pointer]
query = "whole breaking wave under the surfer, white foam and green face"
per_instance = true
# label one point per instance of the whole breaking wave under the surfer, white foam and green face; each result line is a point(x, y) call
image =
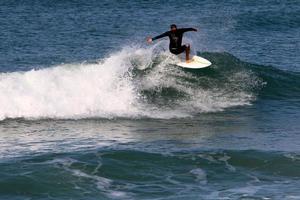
point(136, 82)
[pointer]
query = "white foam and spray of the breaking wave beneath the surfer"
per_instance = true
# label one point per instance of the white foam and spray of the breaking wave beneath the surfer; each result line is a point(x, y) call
point(105, 89)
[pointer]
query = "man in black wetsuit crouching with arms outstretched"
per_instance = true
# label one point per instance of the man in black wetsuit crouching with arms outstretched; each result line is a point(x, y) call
point(175, 36)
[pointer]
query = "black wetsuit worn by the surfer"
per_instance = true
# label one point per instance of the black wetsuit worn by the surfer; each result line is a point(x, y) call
point(175, 39)
